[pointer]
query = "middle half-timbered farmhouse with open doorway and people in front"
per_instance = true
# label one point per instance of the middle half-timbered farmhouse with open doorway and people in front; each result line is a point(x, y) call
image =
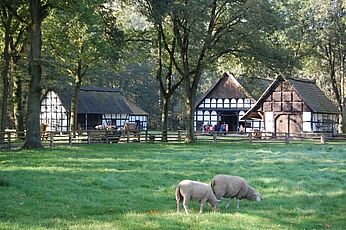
point(222, 105)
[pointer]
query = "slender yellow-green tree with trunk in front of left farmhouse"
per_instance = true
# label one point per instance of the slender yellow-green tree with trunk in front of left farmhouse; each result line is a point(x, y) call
point(80, 36)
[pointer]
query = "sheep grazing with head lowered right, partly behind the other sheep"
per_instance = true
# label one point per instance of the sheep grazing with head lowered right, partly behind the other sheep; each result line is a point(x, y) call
point(233, 186)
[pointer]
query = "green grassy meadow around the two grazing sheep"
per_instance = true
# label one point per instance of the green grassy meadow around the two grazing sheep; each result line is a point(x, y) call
point(131, 186)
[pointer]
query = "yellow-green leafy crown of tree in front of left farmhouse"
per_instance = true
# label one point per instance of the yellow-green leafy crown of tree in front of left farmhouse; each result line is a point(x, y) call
point(80, 33)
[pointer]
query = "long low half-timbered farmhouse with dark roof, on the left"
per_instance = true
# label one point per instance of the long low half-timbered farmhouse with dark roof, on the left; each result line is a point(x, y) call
point(96, 106)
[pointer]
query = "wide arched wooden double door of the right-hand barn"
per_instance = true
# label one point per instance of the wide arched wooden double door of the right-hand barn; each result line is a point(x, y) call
point(288, 123)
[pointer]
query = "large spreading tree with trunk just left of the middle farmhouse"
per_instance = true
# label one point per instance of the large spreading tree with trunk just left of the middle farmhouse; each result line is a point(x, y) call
point(204, 31)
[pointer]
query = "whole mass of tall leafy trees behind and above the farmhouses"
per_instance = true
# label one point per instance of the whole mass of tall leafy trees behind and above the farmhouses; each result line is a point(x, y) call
point(162, 53)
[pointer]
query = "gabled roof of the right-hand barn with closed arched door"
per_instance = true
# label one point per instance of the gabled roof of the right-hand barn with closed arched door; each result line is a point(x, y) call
point(308, 91)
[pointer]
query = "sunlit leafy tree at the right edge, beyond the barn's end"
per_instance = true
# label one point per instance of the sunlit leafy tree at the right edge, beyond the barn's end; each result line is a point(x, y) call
point(330, 40)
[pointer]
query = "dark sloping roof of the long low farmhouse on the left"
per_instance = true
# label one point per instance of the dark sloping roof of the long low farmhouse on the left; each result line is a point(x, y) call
point(97, 100)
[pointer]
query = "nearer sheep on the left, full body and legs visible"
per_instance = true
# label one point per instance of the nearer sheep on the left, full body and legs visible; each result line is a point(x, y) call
point(188, 189)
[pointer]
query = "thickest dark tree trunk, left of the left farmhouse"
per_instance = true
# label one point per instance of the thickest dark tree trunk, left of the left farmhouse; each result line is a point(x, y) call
point(33, 139)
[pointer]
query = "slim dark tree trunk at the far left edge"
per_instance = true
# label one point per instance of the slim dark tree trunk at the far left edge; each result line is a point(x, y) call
point(5, 77)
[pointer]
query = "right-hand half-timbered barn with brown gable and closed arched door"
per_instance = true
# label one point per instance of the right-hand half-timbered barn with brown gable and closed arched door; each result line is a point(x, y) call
point(293, 105)
